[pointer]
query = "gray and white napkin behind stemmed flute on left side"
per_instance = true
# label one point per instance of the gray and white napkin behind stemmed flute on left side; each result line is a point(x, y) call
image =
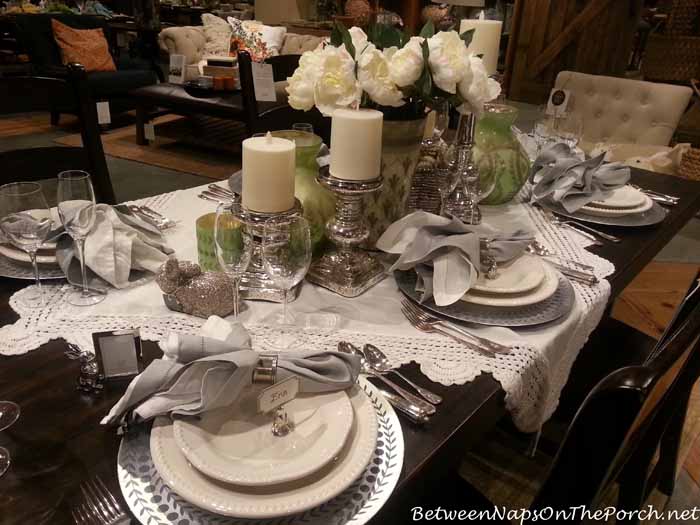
point(120, 249)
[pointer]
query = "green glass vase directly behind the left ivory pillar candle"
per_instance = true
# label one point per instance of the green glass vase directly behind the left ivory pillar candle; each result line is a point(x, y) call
point(318, 202)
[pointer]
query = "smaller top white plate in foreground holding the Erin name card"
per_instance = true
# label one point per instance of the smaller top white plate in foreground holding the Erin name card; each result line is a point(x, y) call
point(238, 447)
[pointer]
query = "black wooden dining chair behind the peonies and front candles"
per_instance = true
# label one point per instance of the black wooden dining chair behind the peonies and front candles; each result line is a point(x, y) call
point(271, 116)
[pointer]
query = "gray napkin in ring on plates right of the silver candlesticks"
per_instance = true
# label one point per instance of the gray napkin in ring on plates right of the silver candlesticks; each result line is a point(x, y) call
point(446, 253)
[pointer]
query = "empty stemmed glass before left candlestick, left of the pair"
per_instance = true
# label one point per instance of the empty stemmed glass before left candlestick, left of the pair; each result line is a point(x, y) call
point(232, 245)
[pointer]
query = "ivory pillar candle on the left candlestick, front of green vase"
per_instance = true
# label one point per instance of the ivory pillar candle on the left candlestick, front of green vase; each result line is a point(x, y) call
point(268, 174)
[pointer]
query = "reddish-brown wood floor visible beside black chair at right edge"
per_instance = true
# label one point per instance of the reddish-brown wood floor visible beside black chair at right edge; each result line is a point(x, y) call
point(648, 304)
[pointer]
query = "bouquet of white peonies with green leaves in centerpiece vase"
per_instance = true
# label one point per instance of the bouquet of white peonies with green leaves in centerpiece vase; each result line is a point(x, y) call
point(388, 69)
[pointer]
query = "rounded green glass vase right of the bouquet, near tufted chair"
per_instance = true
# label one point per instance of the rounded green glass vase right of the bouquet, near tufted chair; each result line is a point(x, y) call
point(499, 155)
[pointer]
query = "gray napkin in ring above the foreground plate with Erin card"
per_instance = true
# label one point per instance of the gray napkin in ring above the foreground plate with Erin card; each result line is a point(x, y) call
point(200, 374)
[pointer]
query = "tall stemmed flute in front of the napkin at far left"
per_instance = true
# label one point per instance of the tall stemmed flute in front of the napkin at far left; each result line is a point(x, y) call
point(77, 208)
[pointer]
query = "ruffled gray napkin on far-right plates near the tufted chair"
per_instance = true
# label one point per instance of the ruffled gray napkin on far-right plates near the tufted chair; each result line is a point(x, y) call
point(559, 175)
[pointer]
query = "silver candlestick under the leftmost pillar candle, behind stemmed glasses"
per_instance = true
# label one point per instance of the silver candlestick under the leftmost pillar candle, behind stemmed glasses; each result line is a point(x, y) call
point(256, 283)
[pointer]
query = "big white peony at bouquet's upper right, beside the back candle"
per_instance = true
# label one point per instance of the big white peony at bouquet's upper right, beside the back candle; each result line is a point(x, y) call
point(447, 59)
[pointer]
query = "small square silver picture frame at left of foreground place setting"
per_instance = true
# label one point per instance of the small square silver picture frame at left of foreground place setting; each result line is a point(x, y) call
point(118, 353)
